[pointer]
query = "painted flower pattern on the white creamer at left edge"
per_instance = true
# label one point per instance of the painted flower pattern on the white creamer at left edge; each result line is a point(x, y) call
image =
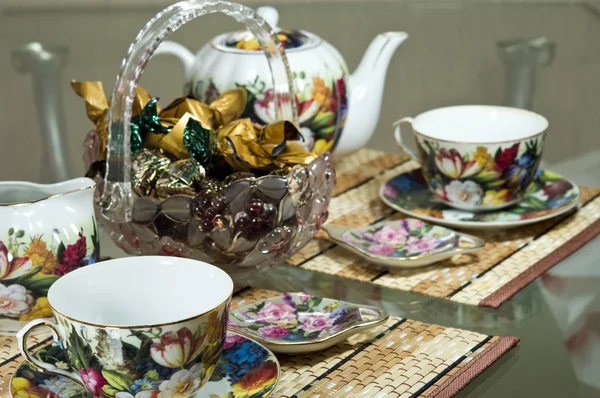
point(29, 265)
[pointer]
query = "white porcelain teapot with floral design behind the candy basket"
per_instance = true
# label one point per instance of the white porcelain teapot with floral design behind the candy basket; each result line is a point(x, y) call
point(328, 98)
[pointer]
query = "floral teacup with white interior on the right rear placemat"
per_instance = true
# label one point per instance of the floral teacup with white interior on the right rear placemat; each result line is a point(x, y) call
point(477, 157)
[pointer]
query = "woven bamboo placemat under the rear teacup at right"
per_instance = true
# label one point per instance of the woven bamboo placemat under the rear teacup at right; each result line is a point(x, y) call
point(510, 260)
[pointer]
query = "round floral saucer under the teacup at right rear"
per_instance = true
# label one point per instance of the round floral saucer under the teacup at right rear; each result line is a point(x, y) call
point(548, 196)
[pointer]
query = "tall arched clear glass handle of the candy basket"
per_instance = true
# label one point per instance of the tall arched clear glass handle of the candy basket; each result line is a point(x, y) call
point(117, 197)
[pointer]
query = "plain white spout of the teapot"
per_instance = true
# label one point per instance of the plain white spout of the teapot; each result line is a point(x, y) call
point(366, 92)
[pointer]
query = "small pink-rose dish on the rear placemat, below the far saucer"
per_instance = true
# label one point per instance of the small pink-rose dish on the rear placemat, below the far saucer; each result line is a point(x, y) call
point(405, 243)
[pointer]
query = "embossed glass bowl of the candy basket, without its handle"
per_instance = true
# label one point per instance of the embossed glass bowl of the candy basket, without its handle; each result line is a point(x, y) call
point(250, 224)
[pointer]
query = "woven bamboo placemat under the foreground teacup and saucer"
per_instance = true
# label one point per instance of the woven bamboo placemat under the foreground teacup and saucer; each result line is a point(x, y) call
point(402, 358)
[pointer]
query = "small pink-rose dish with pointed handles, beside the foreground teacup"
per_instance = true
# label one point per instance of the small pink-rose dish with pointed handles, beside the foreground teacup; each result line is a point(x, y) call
point(296, 323)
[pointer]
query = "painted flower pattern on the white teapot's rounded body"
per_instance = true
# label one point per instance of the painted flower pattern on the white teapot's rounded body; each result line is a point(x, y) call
point(322, 104)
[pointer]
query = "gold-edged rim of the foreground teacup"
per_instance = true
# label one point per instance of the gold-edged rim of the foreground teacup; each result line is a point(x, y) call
point(218, 307)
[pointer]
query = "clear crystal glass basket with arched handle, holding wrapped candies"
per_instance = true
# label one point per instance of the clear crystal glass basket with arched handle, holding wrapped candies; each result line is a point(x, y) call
point(253, 222)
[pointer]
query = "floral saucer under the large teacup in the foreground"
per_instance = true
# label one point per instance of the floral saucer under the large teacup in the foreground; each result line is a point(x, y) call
point(245, 369)
